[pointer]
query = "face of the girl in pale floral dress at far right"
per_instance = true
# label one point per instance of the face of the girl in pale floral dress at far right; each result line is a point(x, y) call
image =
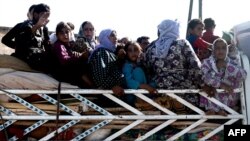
point(220, 50)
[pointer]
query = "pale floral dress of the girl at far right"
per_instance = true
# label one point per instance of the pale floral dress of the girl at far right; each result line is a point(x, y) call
point(232, 75)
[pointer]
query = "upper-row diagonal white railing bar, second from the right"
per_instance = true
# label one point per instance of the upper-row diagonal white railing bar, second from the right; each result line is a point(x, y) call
point(199, 111)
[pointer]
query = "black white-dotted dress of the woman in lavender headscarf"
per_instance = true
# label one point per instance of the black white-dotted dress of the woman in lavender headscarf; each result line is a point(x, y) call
point(105, 70)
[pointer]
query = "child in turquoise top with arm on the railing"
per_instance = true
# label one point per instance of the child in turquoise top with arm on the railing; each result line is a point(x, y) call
point(134, 75)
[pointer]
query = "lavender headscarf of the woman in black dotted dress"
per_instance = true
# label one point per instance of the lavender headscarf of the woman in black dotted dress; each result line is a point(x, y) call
point(104, 40)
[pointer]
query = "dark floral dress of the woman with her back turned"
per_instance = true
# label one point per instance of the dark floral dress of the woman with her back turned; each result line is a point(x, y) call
point(180, 69)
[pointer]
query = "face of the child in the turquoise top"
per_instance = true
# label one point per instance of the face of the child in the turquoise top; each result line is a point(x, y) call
point(133, 52)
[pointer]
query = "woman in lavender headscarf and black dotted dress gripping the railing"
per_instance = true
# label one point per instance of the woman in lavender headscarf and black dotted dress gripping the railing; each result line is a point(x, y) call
point(104, 64)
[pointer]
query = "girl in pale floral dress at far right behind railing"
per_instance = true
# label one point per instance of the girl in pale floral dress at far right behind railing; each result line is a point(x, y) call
point(219, 71)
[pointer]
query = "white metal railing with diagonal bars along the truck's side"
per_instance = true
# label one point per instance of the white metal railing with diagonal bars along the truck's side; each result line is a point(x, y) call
point(135, 118)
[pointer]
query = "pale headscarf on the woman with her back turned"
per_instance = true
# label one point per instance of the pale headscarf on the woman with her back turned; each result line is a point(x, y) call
point(168, 32)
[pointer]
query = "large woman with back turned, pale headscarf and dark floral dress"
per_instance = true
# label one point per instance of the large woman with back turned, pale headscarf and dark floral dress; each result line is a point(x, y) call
point(172, 61)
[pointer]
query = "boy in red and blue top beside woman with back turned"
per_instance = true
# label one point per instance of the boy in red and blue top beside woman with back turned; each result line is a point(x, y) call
point(201, 47)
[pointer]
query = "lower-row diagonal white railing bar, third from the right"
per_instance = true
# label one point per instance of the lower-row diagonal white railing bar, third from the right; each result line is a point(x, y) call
point(156, 129)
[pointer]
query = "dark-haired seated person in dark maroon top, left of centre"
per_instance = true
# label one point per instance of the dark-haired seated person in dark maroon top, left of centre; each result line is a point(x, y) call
point(69, 65)
